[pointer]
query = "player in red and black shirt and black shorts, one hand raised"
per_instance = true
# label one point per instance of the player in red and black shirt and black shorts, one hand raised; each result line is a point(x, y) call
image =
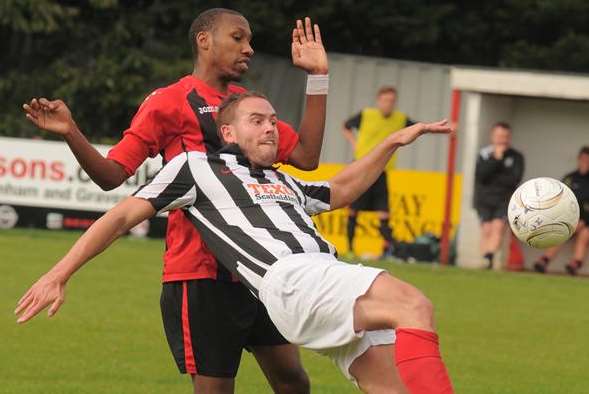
point(208, 316)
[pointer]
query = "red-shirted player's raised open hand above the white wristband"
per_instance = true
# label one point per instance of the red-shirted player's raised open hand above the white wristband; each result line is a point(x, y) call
point(308, 52)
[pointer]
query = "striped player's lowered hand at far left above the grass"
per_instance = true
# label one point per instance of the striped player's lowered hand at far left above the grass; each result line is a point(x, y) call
point(48, 290)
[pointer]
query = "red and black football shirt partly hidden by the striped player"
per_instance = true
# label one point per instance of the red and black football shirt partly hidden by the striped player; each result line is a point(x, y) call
point(177, 118)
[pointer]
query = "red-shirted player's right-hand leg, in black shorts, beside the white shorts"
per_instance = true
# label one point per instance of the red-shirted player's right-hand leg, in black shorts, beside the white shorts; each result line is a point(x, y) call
point(279, 360)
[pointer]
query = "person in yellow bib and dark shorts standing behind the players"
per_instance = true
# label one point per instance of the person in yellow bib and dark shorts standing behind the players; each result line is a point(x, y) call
point(373, 126)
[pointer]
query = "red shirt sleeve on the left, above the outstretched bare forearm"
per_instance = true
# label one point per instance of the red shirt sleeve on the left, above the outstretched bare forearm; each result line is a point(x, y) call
point(147, 134)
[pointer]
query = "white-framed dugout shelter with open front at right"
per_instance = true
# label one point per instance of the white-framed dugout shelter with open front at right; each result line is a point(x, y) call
point(549, 114)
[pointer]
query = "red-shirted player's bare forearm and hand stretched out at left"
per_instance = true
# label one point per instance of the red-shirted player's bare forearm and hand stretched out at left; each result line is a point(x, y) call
point(55, 117)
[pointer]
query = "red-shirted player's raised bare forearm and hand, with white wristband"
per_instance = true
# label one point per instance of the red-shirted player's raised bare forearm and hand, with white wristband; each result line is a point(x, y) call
point(309, 54)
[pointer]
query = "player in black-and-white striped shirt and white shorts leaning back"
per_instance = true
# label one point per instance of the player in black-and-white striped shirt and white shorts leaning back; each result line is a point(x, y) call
point(257, 221)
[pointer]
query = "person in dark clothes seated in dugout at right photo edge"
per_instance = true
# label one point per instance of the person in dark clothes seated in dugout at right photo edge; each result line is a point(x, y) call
point(578, 181)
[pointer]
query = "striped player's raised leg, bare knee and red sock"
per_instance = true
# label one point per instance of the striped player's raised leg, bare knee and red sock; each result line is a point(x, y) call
point(391, 303)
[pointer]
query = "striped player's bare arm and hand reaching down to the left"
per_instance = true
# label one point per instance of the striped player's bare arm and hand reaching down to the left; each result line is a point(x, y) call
point(50, 288)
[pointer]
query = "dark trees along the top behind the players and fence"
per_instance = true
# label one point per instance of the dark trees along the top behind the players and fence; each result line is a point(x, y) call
point(104, 56)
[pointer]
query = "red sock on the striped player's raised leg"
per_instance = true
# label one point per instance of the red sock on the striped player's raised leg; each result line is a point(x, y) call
point(418, 359)
